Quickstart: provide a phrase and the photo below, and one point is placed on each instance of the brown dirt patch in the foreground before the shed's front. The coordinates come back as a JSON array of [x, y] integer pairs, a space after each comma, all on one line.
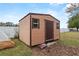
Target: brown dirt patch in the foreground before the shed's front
[[56, 50]]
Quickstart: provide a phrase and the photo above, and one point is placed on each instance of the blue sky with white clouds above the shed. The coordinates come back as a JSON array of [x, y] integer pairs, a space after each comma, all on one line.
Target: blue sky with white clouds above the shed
[[13, 12]]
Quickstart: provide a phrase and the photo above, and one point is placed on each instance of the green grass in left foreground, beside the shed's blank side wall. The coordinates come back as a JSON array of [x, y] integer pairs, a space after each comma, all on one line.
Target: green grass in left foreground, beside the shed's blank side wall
[[19, 50]]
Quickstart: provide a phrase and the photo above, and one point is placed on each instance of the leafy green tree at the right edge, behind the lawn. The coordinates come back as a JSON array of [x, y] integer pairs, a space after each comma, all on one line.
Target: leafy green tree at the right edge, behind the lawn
[[74, 22]]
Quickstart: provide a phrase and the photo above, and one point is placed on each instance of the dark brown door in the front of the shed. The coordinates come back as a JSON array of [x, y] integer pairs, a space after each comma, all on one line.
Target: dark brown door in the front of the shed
[[48, 30]]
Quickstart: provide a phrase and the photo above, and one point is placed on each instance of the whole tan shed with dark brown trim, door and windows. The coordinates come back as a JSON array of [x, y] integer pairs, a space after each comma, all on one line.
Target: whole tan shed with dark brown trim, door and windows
[[35, 28]]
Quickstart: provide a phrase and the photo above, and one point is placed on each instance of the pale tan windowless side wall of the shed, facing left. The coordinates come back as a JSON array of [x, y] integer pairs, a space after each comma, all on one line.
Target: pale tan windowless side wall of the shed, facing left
[[25, 30]]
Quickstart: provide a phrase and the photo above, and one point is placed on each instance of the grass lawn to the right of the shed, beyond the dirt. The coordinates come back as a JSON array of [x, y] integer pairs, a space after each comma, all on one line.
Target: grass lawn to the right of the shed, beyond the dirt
[[69, 38]]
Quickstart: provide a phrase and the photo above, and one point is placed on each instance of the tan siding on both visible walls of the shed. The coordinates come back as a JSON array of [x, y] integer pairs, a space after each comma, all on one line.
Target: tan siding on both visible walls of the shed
[[37, 35]]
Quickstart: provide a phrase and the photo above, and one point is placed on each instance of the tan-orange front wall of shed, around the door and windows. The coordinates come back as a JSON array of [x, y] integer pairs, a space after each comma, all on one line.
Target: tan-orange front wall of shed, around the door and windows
[[38, 35]]
